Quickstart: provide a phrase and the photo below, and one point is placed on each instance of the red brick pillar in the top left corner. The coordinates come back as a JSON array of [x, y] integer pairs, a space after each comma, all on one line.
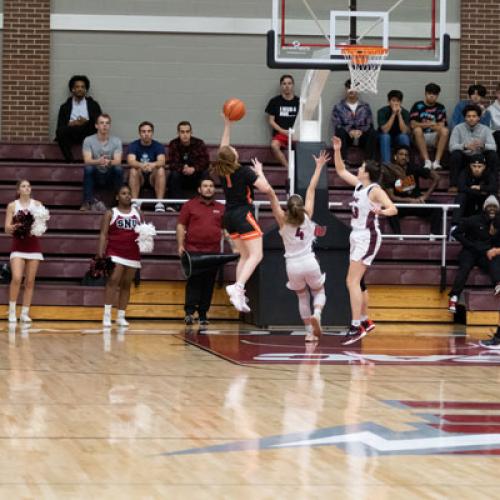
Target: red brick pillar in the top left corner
[[25, 70]]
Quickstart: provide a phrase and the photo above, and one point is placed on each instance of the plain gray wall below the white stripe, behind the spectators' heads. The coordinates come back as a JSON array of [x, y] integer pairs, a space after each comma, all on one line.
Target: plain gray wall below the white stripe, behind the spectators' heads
[[167, 78]]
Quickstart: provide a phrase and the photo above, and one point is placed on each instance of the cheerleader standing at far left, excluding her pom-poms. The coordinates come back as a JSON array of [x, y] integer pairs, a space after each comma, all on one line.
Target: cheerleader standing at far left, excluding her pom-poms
[[25, 255]]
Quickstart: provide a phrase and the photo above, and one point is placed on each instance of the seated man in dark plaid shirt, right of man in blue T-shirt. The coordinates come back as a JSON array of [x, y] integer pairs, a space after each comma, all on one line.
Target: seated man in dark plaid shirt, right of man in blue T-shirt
[[187, 160]]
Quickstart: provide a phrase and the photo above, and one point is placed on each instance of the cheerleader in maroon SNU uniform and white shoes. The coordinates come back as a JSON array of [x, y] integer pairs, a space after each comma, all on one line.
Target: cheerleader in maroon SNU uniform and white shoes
[[117, 240]]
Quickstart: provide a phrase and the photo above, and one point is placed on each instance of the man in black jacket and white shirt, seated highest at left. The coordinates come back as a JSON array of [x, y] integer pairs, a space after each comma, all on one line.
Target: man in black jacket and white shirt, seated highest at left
[[77, 116]]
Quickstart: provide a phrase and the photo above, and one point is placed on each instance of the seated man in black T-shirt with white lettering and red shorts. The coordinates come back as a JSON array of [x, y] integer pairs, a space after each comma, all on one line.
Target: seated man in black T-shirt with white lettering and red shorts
[[282, 110]]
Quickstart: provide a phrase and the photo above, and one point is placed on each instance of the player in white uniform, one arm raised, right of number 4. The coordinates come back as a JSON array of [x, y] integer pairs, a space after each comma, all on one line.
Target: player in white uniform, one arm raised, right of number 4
[[368, 202]]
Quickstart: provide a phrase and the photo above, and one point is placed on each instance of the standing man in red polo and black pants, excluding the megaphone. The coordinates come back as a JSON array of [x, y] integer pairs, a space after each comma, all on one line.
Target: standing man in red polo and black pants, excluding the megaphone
[[199, 230]]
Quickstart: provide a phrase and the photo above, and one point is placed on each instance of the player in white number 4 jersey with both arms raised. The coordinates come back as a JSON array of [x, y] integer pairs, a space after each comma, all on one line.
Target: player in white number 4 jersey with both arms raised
[[298, 232]]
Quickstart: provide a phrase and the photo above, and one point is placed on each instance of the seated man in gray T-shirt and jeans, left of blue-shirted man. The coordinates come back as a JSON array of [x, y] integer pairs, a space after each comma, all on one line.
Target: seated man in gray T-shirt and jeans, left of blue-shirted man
[[102, 155]]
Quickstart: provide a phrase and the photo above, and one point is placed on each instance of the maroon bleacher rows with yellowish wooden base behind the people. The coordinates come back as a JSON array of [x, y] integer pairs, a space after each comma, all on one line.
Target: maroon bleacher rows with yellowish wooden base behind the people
[[72, 240]]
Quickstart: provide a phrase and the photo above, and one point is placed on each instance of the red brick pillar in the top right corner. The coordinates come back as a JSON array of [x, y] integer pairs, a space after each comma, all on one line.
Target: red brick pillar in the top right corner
[[480, 44]]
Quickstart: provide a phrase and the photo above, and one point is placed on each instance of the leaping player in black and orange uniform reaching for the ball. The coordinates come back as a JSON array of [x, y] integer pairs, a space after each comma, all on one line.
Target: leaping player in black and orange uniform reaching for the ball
[[238, 182]]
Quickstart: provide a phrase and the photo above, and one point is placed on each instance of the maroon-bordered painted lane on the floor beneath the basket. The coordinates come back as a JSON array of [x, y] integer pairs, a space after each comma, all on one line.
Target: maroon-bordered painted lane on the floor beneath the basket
[[257, 347]]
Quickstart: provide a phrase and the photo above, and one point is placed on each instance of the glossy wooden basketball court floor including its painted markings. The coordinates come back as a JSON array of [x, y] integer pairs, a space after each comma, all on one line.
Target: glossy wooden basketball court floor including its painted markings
[[233, 412]]
